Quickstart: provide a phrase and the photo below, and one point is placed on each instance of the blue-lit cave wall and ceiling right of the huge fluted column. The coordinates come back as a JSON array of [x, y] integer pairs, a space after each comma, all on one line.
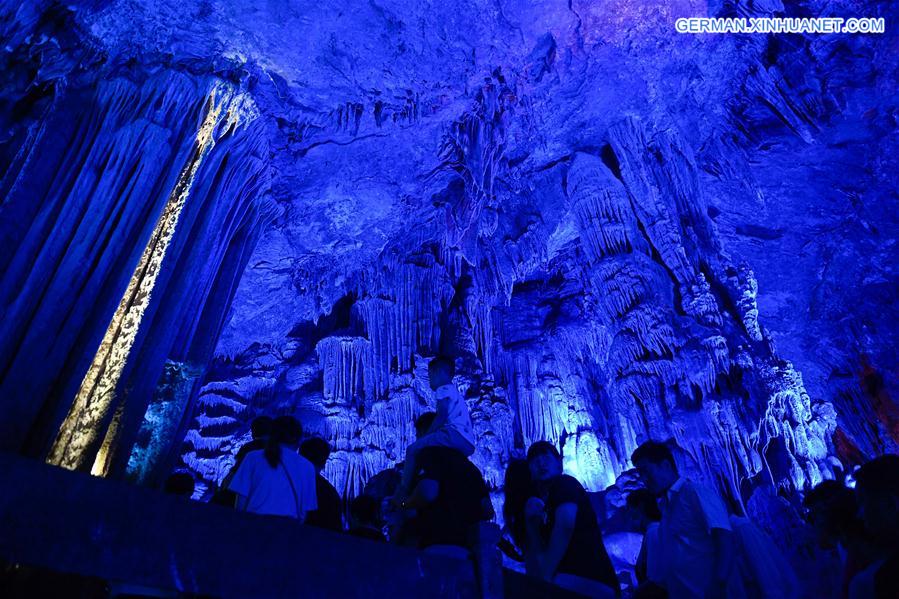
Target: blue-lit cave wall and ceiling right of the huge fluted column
[[604, 238]]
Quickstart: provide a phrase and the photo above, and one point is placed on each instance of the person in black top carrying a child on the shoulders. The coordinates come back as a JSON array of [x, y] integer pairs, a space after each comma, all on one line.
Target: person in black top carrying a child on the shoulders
[[449, 494]]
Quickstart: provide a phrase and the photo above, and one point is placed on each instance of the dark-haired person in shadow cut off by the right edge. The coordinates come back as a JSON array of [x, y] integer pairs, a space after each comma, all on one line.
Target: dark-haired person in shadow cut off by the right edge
[[877, 491]]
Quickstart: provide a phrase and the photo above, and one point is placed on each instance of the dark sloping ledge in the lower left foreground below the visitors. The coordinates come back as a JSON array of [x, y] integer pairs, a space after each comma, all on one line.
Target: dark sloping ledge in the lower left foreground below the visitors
[[75, 523]]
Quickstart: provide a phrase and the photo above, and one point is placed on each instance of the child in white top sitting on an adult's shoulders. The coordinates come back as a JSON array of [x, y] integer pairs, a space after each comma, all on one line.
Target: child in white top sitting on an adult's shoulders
[[451, 427]]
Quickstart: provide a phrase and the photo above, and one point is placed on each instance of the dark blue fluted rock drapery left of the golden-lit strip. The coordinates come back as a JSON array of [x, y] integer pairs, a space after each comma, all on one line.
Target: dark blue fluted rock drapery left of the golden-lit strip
[[84, 234]]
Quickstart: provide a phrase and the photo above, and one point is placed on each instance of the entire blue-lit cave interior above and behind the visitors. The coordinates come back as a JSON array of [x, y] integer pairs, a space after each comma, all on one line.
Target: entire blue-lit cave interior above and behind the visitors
[[213, 211]]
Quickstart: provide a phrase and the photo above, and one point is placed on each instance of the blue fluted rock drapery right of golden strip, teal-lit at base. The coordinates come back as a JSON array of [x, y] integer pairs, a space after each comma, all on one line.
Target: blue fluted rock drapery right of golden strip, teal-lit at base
[[219, 227]]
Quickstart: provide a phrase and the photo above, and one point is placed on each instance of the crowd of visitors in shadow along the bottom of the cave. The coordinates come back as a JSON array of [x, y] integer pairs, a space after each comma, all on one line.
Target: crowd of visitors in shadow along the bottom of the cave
[[692, 545]]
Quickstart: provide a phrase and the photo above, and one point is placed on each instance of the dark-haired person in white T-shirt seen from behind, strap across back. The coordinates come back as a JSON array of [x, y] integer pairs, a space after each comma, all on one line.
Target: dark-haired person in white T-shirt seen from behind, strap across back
[[277, 480]]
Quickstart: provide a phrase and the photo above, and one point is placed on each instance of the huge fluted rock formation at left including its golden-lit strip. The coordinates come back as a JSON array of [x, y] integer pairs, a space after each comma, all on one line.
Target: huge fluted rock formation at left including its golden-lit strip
[[132, 199]]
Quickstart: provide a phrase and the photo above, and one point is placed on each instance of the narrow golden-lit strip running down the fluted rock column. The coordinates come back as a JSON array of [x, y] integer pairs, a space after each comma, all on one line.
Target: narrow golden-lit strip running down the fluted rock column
[[84, 425]]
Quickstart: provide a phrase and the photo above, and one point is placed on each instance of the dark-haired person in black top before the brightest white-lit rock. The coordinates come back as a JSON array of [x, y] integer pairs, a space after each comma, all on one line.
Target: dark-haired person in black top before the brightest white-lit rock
[[564, 544]]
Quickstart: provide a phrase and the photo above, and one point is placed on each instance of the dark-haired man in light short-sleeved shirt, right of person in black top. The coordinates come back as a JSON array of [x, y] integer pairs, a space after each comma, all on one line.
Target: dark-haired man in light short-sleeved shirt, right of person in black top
[[695, 536]]
